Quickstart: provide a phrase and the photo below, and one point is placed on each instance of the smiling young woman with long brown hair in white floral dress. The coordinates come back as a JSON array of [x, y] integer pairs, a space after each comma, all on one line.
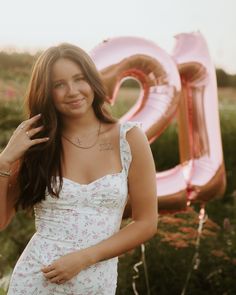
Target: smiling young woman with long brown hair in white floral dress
[[75, 166]]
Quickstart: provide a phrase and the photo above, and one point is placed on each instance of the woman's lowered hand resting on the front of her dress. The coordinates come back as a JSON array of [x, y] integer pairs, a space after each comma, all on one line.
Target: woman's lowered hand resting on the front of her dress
[[64, 268]]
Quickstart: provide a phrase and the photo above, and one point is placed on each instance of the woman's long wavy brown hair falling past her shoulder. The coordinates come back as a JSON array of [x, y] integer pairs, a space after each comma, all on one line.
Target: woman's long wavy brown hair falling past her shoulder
[[42, 162]]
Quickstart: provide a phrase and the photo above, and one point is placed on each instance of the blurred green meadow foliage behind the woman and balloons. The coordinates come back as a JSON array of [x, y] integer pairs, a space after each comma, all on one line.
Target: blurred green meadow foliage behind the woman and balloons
[[169, 255]]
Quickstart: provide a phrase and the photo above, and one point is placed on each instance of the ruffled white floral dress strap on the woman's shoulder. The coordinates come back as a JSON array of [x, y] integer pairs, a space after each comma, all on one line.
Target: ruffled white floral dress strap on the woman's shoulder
[[126, 156]]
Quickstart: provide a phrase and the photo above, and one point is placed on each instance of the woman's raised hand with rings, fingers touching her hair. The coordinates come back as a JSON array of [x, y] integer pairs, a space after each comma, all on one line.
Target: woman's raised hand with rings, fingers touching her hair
[[21, 141]]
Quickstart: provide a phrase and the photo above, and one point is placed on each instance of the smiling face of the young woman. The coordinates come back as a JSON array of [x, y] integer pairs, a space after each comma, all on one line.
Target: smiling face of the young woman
[[72, 95]]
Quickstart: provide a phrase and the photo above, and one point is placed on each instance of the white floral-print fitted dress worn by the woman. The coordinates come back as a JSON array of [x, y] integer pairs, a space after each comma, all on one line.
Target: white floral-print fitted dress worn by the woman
[[82, 216]]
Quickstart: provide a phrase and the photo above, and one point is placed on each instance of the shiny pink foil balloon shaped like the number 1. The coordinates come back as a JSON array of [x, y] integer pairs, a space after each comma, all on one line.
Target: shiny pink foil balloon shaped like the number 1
[[199, 126]]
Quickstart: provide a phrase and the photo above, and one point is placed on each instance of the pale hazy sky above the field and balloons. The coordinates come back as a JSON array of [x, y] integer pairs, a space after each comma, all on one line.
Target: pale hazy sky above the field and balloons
[[32, 24]]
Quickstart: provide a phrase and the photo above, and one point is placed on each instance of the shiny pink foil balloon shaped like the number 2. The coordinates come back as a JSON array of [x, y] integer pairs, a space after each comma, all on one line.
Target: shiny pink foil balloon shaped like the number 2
[[155, 70]]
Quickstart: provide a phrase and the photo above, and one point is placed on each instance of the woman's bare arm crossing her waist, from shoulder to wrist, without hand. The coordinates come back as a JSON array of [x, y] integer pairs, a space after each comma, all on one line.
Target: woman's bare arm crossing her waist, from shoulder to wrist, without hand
[[143, 197]]
